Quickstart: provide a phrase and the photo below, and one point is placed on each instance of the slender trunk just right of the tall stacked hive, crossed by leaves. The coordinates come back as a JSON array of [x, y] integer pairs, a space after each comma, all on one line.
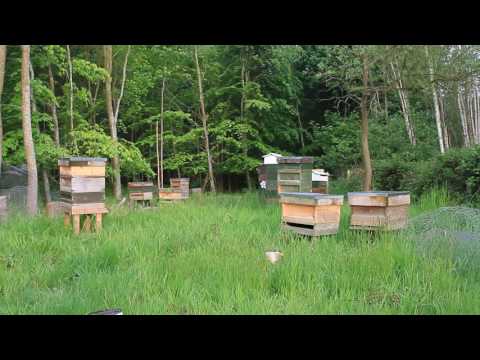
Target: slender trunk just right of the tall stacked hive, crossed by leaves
[[117, 185]]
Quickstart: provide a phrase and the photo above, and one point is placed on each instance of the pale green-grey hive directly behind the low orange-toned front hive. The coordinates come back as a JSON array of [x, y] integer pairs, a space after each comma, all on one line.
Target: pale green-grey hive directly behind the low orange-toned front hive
[[294, 174]]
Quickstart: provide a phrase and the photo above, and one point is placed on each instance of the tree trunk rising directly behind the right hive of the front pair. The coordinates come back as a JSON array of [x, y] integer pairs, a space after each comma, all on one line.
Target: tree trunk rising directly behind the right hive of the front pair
[[364, 107]]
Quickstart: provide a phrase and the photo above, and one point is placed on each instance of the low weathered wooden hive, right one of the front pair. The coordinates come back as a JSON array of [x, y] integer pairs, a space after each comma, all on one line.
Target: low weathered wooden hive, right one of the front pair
[[379, 210]]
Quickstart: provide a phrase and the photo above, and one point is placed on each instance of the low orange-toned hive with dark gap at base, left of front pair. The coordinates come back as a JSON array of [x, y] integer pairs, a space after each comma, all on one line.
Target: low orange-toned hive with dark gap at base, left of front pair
[[310, 213]]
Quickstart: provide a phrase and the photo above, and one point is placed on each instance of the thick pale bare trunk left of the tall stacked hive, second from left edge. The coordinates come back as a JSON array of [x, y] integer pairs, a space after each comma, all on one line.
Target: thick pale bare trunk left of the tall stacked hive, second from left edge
[[32, 190]]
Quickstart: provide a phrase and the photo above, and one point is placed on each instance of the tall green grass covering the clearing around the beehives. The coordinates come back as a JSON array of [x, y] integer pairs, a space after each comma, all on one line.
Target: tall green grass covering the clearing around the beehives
[[206, 256]]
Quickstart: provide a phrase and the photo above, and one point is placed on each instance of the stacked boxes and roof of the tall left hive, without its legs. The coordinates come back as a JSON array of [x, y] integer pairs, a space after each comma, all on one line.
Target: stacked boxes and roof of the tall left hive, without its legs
[[82, 184]]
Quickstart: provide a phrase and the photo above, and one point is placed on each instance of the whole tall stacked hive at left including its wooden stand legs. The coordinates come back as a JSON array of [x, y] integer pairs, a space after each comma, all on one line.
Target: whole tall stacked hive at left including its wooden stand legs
[[82, 192]]
